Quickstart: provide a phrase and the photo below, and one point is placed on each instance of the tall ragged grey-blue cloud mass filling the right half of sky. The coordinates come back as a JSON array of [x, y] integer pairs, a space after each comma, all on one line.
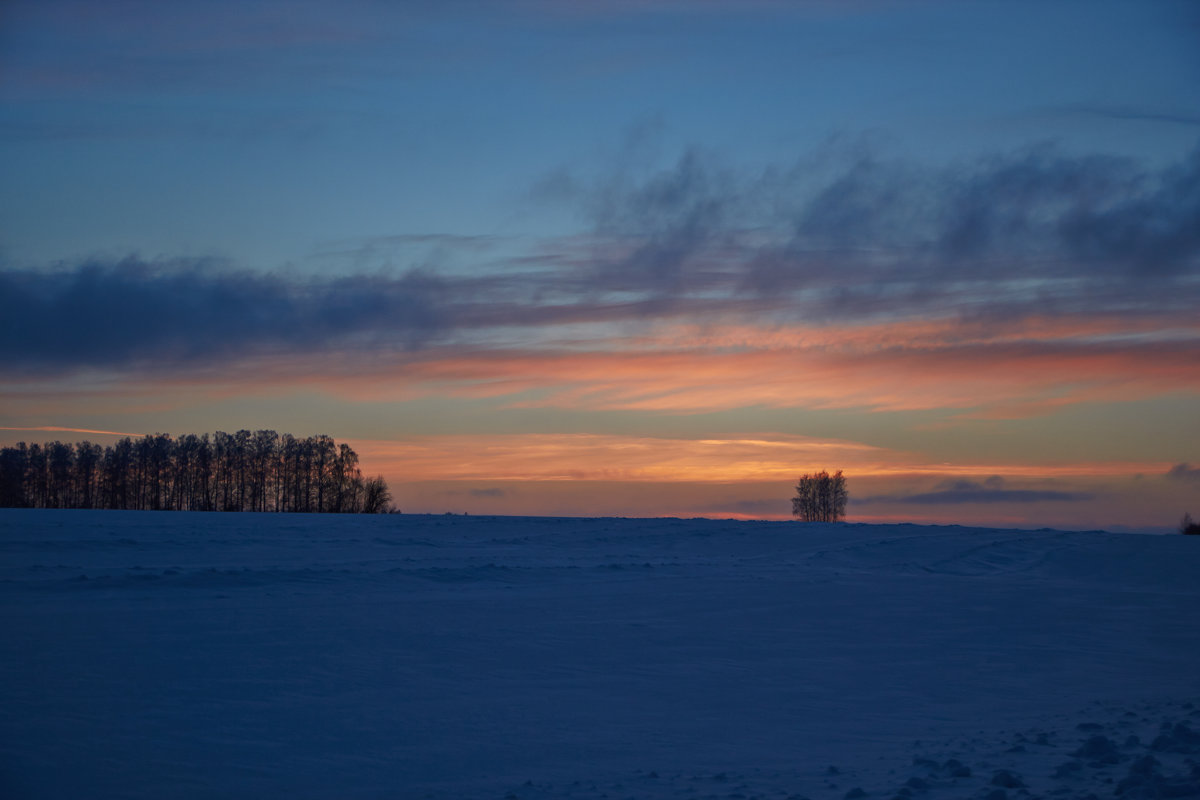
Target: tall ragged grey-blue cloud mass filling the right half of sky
[[1009, 236]]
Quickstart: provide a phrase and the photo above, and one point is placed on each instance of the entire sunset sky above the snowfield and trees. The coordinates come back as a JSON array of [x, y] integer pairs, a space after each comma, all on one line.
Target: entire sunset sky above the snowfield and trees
[[631, 258]]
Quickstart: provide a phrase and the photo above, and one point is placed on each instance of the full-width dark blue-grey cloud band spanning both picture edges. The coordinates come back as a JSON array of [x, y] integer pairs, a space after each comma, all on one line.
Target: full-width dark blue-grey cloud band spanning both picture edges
[[995, 243]]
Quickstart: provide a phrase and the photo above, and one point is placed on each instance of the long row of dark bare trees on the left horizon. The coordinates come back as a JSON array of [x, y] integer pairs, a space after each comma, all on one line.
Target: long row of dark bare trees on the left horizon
[[226, 472]]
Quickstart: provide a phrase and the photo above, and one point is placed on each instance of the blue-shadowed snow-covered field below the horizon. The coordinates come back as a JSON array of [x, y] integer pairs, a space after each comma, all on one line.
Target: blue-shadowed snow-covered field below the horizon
[[191, 655]]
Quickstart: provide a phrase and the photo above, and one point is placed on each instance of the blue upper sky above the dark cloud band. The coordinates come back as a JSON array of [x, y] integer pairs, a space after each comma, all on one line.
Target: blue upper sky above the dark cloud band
[[265, 131]]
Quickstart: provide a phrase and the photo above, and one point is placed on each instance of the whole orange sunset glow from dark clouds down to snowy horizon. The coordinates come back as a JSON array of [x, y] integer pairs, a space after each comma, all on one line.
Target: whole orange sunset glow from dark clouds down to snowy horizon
[[973, 376]]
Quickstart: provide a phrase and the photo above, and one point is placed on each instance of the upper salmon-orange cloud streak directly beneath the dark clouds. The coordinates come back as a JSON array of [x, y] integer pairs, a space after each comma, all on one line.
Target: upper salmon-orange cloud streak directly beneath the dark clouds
[[1004, 381]]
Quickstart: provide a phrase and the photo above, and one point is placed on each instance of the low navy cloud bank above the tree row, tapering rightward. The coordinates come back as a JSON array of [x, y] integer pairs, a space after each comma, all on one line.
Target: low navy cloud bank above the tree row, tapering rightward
[[187, 312]]
